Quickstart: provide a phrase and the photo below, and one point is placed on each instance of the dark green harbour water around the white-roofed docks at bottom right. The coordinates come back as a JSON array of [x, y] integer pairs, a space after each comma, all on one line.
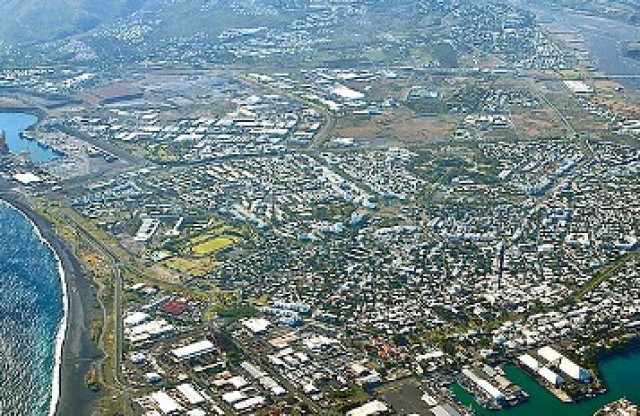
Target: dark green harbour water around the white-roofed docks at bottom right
[[620, 376]]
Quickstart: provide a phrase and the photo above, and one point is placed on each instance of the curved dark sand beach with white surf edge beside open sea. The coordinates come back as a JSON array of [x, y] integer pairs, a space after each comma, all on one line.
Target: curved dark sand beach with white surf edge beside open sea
[[74, 352]]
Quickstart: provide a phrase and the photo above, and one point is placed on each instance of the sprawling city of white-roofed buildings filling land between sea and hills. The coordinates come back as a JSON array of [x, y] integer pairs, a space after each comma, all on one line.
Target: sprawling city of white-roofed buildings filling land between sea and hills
[[346, 208]]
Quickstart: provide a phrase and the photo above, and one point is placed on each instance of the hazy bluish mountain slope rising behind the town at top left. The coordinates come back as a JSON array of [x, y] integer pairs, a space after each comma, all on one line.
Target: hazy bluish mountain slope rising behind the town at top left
[[28, 21]]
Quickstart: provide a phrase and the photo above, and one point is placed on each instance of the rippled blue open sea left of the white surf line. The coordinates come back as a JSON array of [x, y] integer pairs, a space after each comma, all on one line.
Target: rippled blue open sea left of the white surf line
[[31, 309]]
